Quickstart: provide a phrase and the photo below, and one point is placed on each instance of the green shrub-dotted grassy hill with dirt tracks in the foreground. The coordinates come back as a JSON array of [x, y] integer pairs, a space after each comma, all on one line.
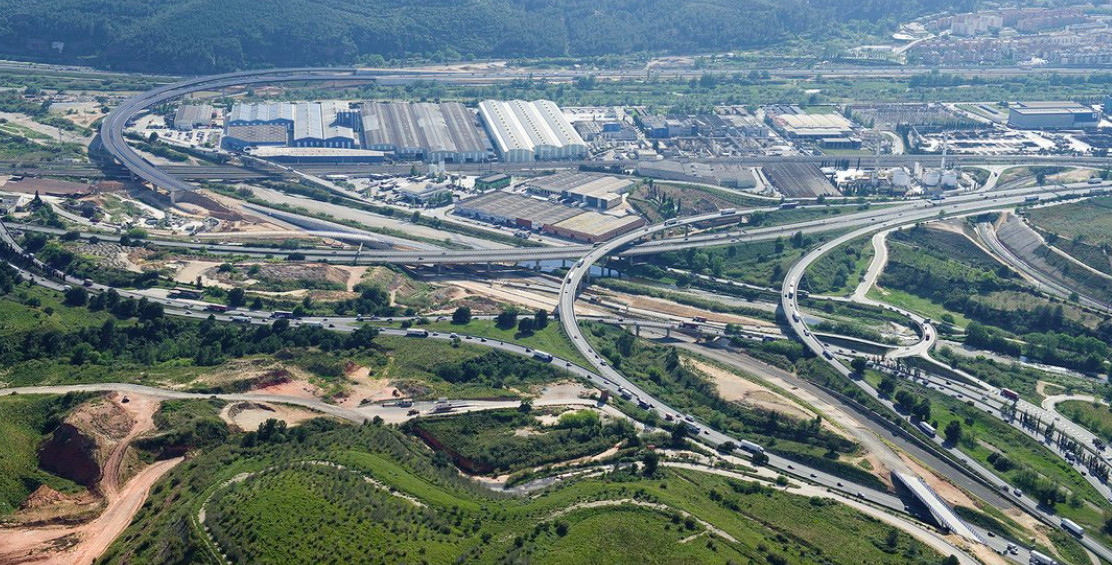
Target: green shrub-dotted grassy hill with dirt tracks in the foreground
[[371, 494]]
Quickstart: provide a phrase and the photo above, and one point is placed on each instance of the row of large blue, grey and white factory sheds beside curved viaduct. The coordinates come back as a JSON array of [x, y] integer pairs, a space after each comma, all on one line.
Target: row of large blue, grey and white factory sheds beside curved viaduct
[[514, 132]]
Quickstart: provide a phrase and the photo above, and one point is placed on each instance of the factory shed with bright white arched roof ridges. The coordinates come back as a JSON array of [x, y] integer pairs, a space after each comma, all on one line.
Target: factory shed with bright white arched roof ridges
[[525, 132]]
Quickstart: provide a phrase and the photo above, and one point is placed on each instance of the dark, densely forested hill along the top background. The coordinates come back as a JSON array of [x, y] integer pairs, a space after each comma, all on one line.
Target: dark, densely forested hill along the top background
[[205, 36]]
